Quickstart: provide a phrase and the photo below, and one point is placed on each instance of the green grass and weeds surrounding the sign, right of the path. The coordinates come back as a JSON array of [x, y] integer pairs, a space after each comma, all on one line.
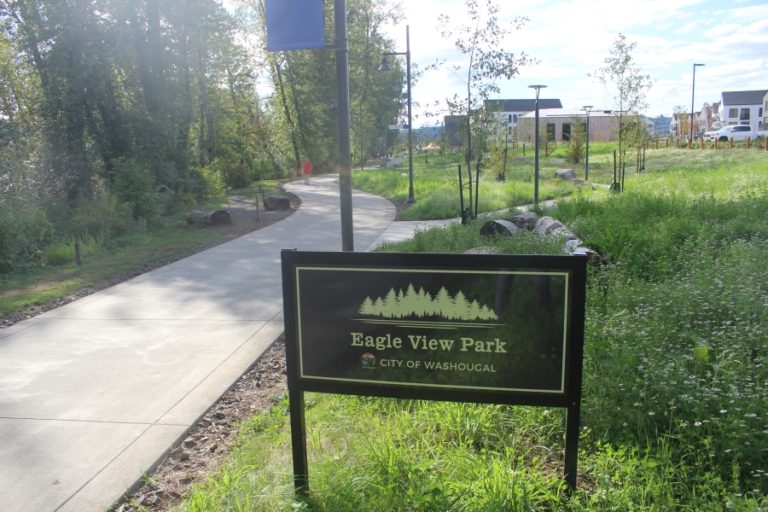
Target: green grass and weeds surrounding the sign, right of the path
[[675, 374]]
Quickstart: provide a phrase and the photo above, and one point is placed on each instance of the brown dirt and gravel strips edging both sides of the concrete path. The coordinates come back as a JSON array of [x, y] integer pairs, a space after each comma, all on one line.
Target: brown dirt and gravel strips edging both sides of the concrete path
[[208, 441]]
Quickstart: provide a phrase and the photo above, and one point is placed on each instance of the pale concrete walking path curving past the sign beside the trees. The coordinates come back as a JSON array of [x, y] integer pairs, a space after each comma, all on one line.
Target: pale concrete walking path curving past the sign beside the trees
[[92, 394]]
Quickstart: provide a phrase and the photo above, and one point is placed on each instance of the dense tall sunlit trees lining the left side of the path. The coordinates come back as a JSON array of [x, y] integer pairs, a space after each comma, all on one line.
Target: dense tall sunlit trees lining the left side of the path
[[118, 108]]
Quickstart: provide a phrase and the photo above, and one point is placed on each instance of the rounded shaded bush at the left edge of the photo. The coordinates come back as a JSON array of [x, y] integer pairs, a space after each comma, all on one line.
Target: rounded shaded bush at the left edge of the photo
[[24, 231]]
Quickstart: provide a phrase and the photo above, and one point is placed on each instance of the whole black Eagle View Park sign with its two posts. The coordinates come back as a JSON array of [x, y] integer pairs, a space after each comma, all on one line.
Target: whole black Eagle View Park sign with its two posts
[[475, 328]]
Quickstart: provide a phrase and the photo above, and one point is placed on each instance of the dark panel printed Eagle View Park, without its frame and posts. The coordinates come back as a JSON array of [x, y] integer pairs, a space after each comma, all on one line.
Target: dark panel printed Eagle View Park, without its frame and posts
[[499, 330]]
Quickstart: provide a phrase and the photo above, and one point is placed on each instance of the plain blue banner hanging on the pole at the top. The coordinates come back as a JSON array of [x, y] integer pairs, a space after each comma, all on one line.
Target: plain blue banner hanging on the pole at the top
[[294, 24]]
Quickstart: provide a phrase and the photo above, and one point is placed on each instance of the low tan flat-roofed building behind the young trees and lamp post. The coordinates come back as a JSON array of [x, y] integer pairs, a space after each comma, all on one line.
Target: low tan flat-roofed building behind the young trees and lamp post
[[559, 123]]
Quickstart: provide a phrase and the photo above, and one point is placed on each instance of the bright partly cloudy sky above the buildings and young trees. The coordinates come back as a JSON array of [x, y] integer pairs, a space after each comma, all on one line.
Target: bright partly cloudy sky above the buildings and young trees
[[571, 39]]
